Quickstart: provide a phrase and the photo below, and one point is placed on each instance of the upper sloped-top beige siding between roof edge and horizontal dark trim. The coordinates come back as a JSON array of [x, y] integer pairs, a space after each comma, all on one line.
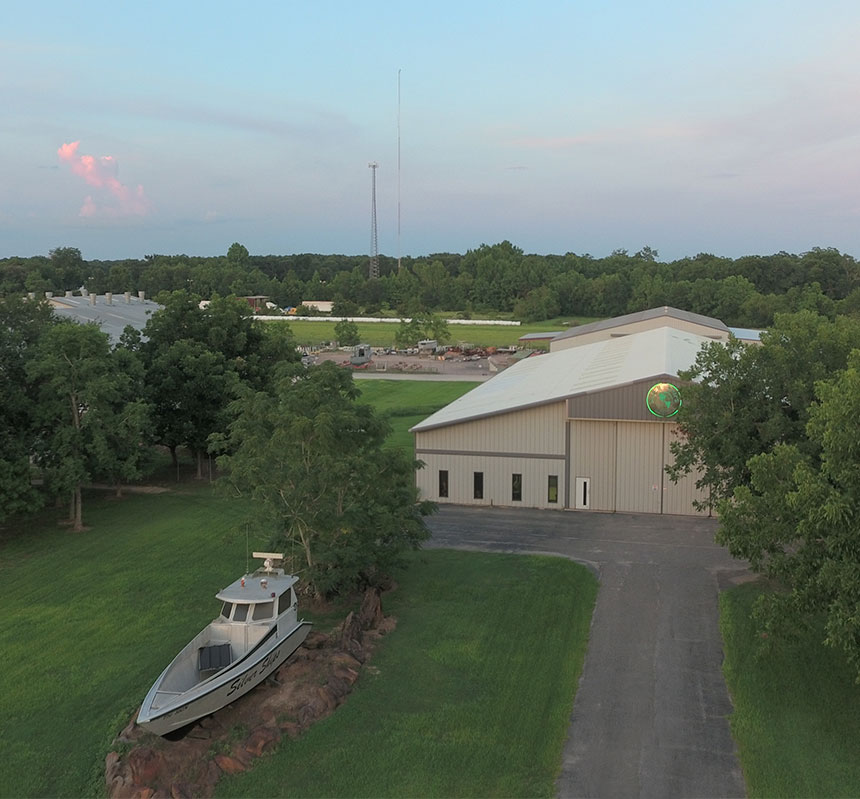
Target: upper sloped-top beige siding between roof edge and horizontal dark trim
[[538, 430]]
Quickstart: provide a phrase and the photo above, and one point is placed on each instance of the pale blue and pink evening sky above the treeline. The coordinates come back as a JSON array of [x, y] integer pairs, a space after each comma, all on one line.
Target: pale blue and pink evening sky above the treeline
[[579, 126]]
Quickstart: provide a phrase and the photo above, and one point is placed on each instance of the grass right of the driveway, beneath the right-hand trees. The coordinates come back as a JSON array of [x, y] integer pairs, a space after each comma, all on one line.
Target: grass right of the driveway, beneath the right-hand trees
[[797, 710]]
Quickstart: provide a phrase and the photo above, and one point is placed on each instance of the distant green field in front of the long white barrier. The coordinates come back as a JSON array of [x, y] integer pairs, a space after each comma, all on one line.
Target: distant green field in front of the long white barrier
[[381, 334]]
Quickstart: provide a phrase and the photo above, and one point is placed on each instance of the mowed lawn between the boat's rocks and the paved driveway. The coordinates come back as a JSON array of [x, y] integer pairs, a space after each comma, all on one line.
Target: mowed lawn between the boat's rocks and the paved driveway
[[470, 696]]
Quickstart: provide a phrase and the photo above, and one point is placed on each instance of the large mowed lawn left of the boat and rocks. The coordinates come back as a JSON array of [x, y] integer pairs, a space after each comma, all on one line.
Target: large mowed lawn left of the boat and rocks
[[90, 619]]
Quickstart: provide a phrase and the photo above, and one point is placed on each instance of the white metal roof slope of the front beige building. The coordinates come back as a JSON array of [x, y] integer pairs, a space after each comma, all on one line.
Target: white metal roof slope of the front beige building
[[577, 370]]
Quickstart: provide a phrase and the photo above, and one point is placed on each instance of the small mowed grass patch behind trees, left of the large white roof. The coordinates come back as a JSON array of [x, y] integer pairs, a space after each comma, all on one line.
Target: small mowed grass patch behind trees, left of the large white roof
[[407, 402]]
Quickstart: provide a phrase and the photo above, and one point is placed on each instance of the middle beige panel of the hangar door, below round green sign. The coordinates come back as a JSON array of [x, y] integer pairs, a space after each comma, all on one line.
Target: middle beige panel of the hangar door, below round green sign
[[639, 486]]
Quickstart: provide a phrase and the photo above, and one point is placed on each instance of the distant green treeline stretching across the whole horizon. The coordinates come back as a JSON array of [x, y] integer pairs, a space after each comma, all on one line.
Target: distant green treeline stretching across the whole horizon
[[745, 291]]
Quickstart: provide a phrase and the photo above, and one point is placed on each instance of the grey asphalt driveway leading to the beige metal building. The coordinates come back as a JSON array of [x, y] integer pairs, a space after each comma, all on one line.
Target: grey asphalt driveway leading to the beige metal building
[[650, 716]]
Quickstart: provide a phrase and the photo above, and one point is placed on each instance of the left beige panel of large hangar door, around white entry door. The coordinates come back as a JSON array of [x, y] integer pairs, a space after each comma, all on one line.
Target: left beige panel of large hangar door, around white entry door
[[592, 455]]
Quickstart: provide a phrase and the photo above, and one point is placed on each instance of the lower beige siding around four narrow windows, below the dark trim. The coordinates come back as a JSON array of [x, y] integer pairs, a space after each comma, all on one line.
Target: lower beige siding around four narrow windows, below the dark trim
[[497, 479]]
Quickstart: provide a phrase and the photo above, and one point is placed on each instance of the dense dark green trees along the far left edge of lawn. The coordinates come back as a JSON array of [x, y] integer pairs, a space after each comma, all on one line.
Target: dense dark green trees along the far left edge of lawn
[[78, 410]]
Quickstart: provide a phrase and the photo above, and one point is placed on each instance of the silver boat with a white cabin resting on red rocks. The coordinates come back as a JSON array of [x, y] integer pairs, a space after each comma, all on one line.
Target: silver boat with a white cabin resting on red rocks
[[257, 630]]
